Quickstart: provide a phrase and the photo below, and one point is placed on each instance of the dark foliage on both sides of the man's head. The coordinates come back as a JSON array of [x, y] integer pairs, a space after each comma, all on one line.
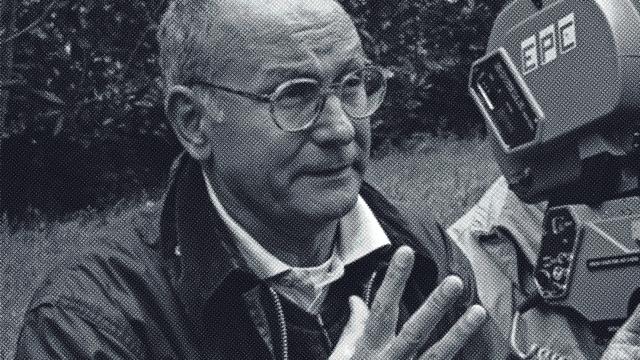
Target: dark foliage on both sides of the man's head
[[85, 125]]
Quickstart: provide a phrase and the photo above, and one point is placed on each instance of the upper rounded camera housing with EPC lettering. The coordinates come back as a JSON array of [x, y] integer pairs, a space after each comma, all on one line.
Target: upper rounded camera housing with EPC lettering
[[560, 90]]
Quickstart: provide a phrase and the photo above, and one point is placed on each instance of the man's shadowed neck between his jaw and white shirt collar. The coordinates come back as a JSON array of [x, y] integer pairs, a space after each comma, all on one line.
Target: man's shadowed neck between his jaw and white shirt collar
[[302, 244]]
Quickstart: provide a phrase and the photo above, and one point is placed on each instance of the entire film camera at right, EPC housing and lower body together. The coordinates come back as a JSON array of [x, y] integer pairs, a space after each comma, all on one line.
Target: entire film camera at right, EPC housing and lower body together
[[559, 88]]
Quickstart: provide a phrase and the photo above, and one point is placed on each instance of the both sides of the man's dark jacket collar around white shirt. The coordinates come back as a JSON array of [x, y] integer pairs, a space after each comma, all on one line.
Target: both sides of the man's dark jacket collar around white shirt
[[198, 248]]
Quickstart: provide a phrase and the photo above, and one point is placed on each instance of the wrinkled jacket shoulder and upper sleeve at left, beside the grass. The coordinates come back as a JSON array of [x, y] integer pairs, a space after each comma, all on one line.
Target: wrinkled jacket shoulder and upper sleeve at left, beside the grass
[[96, 292]]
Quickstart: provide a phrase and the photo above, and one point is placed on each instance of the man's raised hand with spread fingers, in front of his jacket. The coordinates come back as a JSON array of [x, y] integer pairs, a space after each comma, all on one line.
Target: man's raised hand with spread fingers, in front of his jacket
[[372, 334]]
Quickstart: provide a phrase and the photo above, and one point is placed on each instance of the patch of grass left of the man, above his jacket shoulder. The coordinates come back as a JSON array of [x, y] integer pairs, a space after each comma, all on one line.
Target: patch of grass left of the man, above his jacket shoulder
[[28, 254]]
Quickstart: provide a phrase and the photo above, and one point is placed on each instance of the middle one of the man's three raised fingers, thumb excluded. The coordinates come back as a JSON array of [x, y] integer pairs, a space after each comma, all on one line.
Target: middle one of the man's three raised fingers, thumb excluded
[[417, 329]]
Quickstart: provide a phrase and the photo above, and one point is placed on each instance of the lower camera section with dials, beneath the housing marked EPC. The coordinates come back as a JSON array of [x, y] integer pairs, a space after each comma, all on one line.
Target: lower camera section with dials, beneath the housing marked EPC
[[589, 261]]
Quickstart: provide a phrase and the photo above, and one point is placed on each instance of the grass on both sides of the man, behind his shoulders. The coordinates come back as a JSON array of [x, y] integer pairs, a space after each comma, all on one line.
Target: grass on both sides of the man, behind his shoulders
[[435, 176]]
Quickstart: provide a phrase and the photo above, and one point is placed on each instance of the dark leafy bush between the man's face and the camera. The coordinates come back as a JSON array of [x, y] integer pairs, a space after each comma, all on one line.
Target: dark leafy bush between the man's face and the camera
[[429, 45]]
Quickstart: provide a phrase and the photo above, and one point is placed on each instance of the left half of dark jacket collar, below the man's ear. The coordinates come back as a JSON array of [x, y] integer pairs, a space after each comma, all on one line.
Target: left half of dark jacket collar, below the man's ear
[[195, 240]]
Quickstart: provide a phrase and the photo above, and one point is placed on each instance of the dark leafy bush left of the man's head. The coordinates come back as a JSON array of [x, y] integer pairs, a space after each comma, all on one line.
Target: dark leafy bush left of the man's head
[[86, 125]]
